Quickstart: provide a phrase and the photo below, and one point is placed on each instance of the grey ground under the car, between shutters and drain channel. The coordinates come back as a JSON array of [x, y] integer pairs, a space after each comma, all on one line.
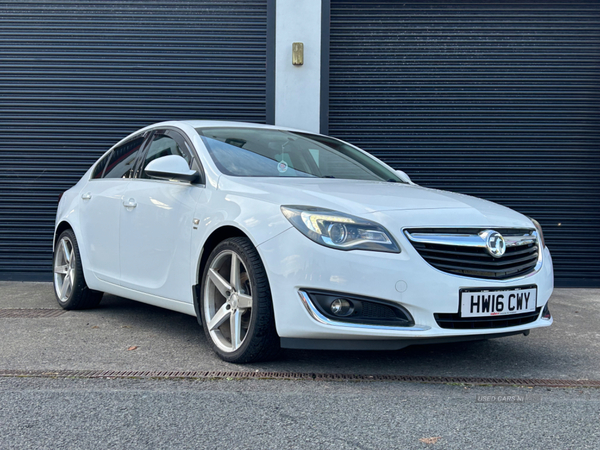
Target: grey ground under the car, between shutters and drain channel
[[102, 339]]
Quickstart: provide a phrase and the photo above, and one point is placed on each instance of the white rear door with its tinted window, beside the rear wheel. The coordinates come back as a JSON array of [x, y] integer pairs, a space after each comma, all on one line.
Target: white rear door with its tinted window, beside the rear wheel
[[100, 208]]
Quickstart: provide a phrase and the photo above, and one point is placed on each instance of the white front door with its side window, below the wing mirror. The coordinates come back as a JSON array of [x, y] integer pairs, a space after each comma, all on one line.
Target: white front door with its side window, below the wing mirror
[[156, 224]]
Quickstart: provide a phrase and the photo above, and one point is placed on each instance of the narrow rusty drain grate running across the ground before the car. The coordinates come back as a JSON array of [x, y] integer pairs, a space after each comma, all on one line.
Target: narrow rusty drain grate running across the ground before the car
[[242, 375]]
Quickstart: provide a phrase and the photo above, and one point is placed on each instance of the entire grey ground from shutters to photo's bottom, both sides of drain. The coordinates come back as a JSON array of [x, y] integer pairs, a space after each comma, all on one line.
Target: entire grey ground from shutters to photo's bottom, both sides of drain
[[51, 412]]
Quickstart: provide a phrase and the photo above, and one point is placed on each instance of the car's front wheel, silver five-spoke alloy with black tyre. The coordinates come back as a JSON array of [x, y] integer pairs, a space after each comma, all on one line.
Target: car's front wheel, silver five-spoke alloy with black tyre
[[236, 306]]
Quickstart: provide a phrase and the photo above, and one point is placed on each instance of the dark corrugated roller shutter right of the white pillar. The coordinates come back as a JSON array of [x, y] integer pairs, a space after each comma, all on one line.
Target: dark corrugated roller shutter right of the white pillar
[[497, 99]]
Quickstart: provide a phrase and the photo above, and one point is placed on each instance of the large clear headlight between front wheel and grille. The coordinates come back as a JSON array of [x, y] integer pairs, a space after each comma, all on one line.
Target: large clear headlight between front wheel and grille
[[338, 230]]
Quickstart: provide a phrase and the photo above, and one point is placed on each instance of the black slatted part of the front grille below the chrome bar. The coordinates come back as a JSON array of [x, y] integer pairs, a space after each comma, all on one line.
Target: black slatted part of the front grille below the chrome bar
[[475, 261]]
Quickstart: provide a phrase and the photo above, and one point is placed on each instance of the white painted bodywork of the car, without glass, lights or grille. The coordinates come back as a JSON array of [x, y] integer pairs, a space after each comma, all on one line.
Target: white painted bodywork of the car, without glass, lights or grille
[[160, 246]]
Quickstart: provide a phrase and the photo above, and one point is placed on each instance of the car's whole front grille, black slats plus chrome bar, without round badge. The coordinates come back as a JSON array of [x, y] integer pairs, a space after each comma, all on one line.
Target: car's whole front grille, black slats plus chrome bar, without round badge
[[463, 251]]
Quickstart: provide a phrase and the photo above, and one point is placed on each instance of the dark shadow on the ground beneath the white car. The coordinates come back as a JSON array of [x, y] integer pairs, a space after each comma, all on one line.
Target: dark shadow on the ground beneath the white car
[[514, 356]]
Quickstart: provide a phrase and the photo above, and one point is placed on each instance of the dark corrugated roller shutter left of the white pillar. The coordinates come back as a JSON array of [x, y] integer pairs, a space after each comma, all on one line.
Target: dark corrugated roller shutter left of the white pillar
[[76, 76]]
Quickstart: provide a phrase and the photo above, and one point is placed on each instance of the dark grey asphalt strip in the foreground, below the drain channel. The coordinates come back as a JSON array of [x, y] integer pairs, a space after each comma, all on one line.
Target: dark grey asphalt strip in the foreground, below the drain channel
[[251, 414]]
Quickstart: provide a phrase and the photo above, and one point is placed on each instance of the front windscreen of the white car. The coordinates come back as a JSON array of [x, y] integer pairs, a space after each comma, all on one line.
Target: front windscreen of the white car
[[255, 152]]
